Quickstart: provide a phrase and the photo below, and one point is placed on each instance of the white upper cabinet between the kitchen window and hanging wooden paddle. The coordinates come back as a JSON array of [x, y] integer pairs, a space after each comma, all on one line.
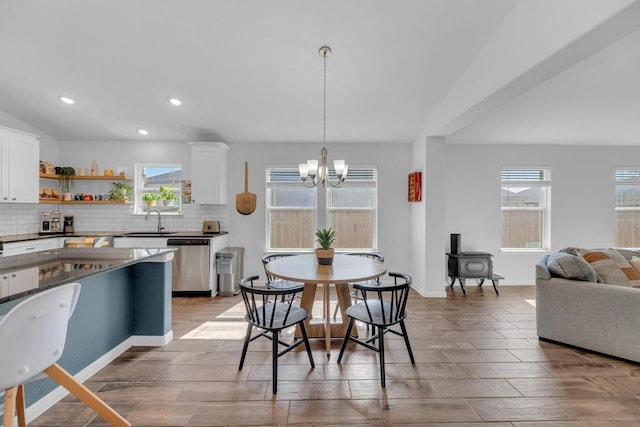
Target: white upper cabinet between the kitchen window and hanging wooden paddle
[[209, 173]]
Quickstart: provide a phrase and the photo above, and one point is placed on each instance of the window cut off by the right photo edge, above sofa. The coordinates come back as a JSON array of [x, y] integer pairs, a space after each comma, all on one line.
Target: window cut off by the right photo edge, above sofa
[[627, 208]]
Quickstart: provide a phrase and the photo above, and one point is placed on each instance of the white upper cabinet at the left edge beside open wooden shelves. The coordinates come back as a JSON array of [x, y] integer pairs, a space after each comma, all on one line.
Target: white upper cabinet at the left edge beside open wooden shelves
[[19, 168]]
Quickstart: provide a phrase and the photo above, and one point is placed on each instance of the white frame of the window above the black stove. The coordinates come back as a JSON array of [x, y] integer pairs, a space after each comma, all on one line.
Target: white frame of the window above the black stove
[[526, 175]]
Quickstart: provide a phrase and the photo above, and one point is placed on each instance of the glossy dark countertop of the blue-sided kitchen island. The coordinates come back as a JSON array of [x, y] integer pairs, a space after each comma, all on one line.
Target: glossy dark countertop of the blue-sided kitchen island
[[62, 266]]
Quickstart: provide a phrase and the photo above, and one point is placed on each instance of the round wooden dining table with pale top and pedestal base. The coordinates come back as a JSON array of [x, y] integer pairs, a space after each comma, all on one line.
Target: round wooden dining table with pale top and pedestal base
[[344, 270]]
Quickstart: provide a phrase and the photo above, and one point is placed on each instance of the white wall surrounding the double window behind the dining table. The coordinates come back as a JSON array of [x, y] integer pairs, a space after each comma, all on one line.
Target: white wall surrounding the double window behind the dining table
[[394, 210]]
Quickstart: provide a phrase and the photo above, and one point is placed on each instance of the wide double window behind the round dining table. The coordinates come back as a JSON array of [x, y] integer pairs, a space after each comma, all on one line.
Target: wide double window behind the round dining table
[[294, 212]]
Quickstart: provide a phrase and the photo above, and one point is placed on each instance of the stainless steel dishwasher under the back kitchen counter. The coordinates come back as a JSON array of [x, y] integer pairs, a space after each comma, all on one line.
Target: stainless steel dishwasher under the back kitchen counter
[[191, 267]]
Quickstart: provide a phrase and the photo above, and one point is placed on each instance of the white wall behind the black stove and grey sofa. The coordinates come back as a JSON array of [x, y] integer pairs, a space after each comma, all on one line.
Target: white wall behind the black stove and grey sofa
[[582, 198]]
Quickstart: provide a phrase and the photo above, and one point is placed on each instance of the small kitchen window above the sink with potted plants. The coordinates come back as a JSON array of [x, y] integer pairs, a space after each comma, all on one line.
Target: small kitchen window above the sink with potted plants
[[158, 186]]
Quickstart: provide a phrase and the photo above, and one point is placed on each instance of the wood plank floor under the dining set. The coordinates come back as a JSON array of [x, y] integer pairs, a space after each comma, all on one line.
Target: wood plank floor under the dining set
[[478, 362]]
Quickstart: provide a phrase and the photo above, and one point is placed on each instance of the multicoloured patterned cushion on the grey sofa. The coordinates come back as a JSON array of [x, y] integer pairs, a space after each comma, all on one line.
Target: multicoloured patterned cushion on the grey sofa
[[611, 266]]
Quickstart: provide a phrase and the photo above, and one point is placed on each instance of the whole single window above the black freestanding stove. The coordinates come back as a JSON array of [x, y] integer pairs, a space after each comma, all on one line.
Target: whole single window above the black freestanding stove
[[525, 208]]
